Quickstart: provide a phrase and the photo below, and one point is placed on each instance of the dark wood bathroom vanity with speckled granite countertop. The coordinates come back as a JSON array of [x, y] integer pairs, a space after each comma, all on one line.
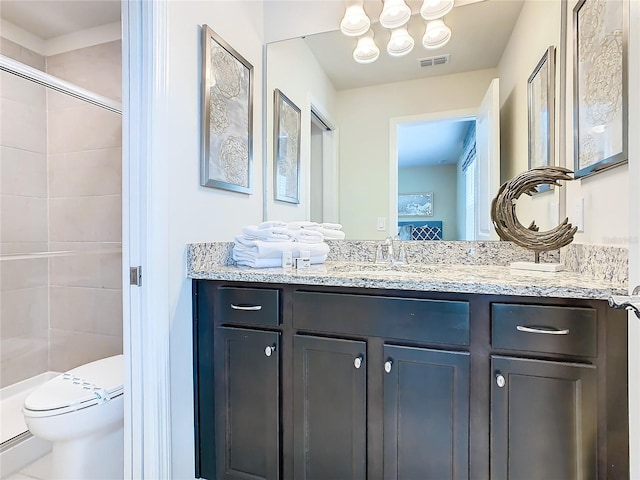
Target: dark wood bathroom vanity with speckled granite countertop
[[431, 371]]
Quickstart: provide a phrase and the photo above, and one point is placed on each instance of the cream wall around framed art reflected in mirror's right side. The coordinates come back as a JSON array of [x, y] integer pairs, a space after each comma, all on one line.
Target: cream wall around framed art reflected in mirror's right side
[[537, 28]]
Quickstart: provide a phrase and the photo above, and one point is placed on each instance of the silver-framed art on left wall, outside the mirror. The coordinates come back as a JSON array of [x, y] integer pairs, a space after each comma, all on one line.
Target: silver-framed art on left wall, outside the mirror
[[227, 116]]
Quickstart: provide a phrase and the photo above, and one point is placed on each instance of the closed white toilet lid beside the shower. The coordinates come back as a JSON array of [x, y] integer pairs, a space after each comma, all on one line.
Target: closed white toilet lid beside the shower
[[83, 386]]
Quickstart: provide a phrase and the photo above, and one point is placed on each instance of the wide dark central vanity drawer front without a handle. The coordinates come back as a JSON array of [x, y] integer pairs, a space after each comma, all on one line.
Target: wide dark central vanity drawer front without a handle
[[432, 321]]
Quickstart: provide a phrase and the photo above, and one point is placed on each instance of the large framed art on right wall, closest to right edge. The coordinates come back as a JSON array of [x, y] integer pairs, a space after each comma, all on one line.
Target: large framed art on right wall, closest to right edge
[[599, 85]]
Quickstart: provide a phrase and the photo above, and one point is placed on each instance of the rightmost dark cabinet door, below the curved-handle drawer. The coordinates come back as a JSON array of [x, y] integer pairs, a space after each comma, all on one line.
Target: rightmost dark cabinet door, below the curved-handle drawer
[[543, 420]]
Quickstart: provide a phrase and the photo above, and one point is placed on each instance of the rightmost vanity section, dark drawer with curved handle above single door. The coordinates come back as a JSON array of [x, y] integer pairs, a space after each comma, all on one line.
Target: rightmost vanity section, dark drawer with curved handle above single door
[[544, 414]]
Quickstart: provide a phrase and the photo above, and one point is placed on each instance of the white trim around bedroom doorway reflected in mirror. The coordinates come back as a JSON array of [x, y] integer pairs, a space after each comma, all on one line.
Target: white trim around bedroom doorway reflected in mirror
[[394, 123]]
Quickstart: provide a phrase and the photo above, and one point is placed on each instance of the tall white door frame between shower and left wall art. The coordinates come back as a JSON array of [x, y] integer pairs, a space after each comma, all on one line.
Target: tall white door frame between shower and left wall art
[[147, 415]]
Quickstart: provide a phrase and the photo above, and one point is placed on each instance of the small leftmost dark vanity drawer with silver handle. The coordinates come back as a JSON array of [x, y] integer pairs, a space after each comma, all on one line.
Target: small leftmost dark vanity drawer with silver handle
[[251, 306]]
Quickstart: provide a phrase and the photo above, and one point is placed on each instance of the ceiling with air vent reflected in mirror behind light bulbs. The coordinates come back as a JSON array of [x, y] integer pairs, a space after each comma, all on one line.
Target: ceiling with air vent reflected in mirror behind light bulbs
[[480, 32]]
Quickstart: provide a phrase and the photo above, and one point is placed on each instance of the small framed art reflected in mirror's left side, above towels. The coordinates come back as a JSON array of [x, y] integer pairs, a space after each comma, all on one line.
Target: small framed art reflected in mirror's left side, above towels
[[286, 145]]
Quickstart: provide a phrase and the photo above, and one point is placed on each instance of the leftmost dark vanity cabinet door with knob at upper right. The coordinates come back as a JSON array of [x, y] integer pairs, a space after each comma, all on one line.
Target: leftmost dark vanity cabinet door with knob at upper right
[[246, 404]]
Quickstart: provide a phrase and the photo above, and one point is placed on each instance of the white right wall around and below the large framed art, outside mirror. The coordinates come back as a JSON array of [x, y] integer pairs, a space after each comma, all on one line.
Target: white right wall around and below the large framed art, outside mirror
[[605, 194]]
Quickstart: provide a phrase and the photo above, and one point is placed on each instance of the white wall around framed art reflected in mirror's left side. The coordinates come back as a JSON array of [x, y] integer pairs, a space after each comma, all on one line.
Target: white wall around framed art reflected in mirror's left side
[[292, 68]]
